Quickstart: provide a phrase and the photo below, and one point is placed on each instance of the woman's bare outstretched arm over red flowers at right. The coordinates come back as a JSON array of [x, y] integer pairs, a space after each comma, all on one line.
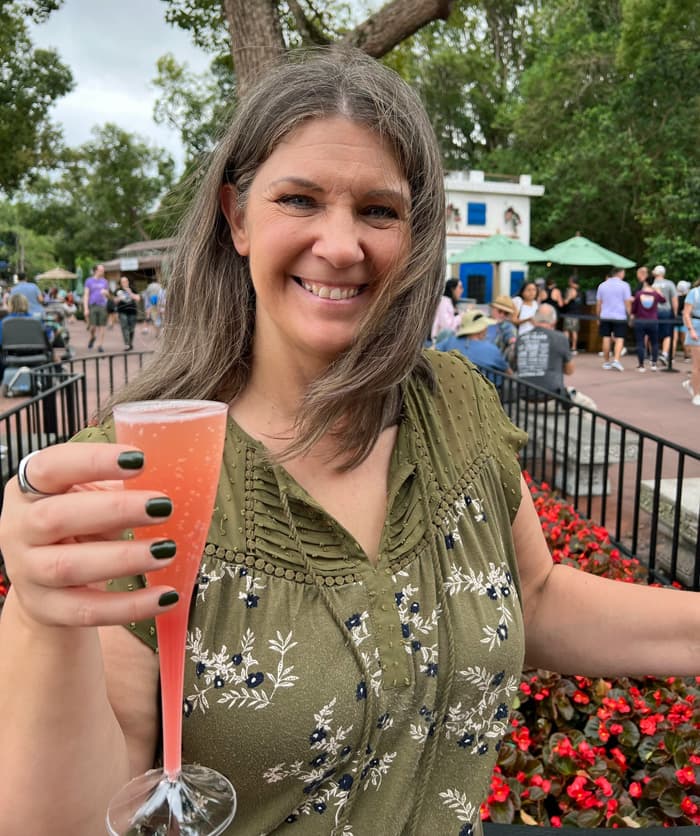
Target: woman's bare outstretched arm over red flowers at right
[[578, 623]]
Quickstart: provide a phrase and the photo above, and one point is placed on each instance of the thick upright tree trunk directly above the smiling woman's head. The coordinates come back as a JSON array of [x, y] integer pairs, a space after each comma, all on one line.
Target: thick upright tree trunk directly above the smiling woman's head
[[256, 38]]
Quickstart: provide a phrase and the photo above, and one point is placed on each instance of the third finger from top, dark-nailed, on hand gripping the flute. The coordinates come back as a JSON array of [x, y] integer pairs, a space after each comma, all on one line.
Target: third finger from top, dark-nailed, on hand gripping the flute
[[77, 564]]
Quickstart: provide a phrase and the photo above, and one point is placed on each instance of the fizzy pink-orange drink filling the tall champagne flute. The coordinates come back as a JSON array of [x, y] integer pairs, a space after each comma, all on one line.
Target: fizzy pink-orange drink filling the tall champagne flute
[[183, 443]]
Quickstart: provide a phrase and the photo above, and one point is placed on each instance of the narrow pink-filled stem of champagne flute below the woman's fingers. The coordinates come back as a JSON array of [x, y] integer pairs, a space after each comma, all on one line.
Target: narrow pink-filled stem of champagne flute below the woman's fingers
[[171, 629]]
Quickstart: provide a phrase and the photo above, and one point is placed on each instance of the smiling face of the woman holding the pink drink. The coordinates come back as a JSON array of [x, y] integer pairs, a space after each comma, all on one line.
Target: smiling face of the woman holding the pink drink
[[325, 221]]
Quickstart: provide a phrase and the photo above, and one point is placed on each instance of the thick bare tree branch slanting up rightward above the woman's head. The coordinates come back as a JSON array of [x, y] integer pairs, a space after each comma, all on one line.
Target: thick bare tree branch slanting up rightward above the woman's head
[[395, 22]]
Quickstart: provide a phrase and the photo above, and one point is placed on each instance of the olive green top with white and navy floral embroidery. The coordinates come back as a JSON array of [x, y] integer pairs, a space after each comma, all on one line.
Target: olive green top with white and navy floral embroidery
[[338, 694]]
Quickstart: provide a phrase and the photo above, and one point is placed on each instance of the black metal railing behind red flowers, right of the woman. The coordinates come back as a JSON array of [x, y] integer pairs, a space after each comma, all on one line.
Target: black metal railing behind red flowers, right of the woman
[[637, 485]]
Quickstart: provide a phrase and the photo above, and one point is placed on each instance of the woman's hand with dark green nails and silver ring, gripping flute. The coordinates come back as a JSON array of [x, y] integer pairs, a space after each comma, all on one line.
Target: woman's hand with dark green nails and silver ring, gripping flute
[[60, 549]]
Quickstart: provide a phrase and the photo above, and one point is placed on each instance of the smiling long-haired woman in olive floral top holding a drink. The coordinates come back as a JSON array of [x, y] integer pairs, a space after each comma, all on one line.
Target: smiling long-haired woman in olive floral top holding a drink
[[373, 545]]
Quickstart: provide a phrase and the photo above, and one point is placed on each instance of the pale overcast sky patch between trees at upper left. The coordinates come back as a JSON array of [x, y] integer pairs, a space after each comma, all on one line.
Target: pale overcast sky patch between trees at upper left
[[111, 47]]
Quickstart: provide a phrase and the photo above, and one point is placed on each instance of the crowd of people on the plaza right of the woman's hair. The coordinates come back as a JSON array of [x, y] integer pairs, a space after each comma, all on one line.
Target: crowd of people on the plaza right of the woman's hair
[[664, 316]]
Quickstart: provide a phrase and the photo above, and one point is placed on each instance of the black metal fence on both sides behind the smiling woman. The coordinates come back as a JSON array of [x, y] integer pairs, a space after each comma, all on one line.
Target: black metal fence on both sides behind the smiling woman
[[644, 489]]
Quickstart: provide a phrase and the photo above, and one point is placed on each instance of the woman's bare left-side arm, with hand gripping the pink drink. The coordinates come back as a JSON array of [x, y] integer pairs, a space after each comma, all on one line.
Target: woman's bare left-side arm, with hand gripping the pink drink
[[79, 695]]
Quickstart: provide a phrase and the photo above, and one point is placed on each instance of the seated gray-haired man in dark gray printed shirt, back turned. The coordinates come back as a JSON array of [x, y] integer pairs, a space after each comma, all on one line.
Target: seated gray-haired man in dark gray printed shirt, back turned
[[543, 354]]
